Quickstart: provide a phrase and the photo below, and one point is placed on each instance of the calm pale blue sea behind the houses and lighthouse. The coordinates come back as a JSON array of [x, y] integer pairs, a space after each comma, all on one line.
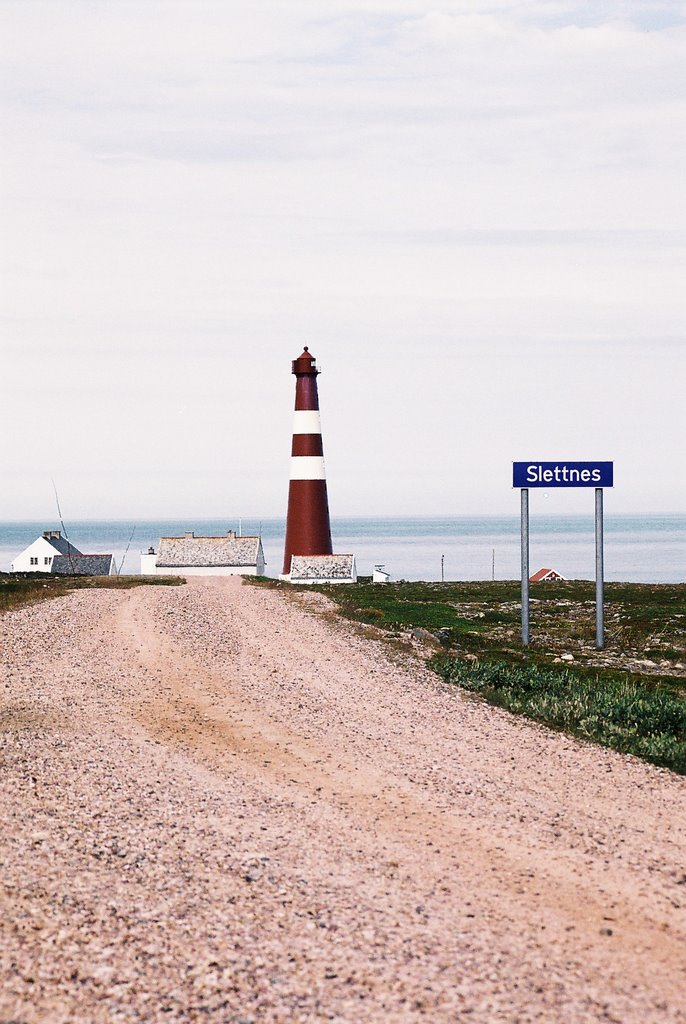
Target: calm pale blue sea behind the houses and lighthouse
[[637, 549]]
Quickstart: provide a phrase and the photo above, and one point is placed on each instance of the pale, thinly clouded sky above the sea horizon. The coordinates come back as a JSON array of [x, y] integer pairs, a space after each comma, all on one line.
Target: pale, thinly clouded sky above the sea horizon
[[473, 214]]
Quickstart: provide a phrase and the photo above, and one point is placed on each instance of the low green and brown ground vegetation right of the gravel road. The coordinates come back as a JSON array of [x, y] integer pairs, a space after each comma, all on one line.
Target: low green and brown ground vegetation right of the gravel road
[[630, 697]]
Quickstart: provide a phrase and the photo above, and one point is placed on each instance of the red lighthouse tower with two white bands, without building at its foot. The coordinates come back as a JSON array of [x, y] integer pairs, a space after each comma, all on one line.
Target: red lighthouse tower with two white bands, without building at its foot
[[308, 526]]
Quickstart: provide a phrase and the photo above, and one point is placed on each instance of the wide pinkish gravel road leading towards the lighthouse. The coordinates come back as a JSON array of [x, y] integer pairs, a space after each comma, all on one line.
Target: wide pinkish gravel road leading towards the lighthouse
[[219, 804]]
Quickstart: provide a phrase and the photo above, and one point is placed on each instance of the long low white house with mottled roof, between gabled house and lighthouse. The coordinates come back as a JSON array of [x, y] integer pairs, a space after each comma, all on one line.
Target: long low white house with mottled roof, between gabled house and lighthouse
[[191, 556]]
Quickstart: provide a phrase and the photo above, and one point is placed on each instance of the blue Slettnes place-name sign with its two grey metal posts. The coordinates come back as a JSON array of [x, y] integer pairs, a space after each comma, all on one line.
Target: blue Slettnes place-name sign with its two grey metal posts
[[564, 475]]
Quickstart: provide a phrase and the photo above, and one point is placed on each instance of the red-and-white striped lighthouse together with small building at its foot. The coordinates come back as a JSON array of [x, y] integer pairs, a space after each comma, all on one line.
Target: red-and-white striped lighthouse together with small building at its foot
[[309, 553]]
